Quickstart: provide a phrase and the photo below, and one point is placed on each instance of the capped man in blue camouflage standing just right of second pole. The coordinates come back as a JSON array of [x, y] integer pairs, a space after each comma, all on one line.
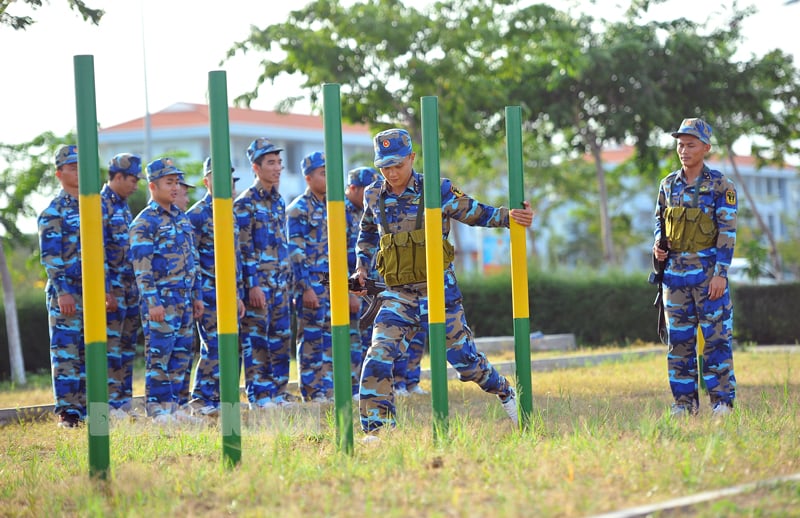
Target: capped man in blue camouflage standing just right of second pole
[[266, 327]]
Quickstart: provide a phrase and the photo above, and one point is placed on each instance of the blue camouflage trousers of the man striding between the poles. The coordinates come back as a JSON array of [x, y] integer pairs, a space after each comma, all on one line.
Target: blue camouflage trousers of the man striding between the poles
[[403, 314]]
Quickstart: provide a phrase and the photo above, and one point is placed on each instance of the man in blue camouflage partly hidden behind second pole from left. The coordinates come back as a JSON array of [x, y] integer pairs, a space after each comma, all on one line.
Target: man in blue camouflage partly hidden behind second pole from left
[[205, 393]]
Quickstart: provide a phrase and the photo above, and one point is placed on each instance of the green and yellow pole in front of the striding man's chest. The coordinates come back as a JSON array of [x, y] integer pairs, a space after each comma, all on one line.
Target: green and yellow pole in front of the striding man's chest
[[434, 259]]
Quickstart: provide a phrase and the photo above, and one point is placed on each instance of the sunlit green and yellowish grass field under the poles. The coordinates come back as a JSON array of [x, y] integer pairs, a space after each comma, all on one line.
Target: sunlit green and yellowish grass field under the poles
[[601, 441]]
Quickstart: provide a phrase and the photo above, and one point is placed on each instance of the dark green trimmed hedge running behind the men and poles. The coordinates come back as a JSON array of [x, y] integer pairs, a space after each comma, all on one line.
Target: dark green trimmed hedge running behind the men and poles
[[598, 310]]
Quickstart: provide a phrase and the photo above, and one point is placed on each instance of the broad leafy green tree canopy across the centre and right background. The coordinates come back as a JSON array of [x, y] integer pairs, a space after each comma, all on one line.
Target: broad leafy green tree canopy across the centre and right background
[[584, 84]]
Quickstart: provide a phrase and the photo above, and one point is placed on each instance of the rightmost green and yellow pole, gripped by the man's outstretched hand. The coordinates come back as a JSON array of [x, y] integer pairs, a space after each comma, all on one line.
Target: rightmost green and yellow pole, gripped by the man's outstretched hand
[[519, 266]]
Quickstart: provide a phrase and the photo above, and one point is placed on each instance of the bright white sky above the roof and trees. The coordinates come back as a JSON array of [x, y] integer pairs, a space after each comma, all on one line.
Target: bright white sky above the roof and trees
[[184, 40]]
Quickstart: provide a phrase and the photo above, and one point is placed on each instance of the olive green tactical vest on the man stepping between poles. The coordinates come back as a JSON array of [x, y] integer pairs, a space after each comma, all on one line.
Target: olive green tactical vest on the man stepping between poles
[[401, 257]]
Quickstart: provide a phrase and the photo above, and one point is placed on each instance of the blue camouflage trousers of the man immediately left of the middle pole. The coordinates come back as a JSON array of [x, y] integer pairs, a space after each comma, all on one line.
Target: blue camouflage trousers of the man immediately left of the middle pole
[[315, 345]]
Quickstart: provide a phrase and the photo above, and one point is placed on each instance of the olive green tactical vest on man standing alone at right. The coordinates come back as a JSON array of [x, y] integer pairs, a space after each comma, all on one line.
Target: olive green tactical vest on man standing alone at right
[[689, 229]]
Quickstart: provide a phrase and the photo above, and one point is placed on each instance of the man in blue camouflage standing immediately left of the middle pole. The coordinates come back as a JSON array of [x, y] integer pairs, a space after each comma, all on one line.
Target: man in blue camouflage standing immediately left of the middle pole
[[307, 230]]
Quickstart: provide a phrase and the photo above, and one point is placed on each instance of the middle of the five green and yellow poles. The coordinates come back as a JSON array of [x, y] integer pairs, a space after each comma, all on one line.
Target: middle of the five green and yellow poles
[[337, 256]]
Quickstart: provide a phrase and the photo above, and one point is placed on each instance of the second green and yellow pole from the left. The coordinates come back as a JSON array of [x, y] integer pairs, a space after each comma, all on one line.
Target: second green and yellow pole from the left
[[225, 268]]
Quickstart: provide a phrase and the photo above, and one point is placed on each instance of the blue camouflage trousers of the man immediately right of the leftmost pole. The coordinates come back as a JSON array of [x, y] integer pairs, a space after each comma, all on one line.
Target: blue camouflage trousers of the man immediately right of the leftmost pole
[[123, 332]]
